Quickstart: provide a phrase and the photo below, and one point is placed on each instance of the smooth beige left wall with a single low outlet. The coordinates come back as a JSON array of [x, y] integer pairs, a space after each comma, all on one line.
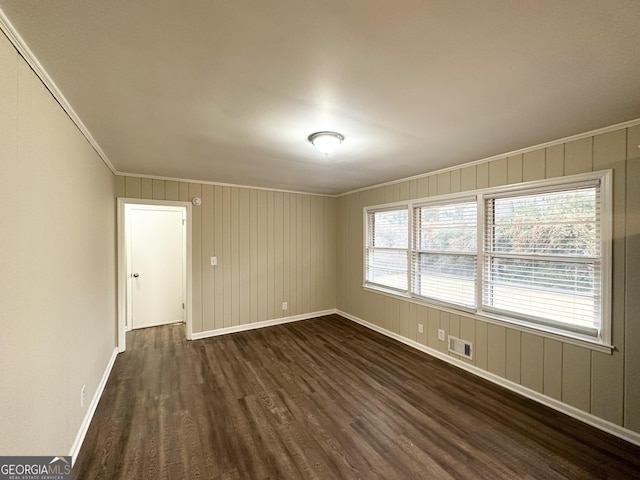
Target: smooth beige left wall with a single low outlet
[[57, 265]]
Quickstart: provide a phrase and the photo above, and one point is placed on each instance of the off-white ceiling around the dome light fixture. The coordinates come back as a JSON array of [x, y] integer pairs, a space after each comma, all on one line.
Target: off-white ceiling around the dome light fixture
[[228, 91]]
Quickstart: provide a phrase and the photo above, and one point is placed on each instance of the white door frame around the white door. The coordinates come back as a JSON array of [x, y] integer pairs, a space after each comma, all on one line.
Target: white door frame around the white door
[[122, 274]]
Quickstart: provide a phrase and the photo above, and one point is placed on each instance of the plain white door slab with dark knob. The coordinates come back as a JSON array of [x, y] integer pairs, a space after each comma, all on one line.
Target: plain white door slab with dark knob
[[156, 259]]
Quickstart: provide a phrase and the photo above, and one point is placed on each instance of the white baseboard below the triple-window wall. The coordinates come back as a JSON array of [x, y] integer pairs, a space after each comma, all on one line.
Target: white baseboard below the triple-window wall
[[605, 425]]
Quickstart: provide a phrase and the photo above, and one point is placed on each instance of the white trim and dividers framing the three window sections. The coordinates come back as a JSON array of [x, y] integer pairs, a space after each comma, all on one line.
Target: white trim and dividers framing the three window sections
[[601, 342]]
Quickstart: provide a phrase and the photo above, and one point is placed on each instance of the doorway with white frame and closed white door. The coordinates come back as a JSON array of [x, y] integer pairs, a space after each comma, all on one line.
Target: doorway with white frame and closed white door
[[154, 258]]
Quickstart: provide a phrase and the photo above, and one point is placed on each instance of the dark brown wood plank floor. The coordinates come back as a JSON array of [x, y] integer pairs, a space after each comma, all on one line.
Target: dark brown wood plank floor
[[329, 399]]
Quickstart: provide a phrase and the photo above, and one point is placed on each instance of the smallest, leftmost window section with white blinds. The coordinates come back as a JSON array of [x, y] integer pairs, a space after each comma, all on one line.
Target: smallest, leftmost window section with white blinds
[[387, 248]]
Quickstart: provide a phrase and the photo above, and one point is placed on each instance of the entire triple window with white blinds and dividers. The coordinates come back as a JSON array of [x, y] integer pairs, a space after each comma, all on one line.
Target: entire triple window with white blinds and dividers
[[535, 254]]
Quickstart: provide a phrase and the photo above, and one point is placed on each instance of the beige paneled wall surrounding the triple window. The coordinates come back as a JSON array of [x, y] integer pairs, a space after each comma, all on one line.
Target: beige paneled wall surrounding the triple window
[[607, 386]]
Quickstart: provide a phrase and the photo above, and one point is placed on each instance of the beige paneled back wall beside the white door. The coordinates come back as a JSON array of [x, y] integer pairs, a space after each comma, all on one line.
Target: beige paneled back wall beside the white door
[[272, 247]]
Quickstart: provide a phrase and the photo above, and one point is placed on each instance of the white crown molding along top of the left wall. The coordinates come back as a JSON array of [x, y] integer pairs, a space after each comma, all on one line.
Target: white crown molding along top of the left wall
[[25, 52]]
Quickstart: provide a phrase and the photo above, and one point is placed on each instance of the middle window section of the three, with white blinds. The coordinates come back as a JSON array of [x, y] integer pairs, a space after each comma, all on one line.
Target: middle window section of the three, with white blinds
[[445, 252]]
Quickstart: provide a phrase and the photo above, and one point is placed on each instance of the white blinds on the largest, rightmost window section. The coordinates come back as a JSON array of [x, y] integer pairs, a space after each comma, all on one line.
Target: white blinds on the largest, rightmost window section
[[543, 257]]
